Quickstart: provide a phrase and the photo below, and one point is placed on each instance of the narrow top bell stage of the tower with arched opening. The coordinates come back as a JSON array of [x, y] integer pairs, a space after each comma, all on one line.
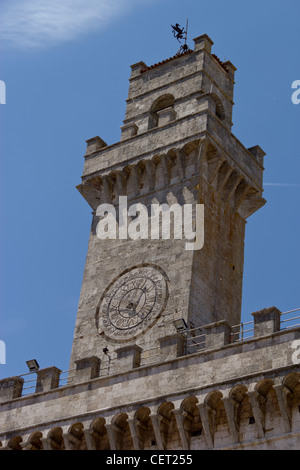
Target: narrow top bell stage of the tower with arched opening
[[177, 84]]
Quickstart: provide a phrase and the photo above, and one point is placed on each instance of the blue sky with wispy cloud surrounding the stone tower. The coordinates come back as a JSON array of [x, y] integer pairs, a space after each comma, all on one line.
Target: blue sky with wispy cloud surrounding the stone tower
[[66, 66]]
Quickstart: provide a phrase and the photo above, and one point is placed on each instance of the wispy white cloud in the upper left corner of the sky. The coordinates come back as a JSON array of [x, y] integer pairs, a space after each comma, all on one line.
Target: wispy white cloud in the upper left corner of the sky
[[42, 23]]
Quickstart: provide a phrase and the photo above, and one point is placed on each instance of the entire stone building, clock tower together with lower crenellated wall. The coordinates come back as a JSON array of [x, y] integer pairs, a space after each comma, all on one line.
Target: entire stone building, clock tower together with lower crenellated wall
[[158, 362]]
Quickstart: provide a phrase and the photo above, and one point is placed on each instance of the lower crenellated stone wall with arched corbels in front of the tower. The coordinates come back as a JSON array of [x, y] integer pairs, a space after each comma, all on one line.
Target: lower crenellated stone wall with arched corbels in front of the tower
[[251, 387]]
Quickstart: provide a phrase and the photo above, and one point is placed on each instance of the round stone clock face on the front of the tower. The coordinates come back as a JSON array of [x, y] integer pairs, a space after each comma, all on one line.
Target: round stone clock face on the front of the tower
[[132, 303]]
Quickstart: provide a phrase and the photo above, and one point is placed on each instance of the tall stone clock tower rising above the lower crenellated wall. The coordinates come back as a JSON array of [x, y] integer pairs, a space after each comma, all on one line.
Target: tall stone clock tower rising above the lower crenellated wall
[[176, 148]]
